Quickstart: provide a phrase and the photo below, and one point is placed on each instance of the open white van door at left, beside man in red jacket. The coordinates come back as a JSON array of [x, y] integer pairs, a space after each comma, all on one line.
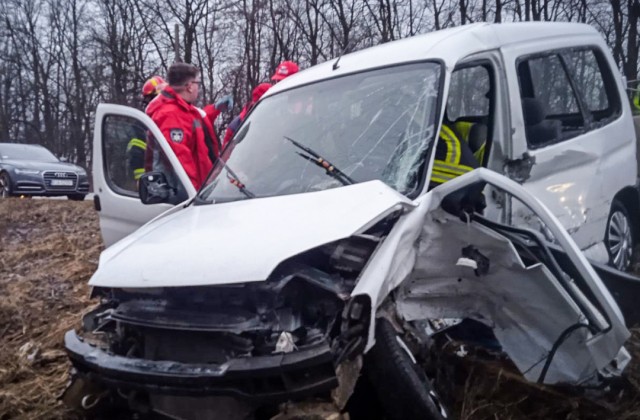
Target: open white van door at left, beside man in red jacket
[[127, 144]]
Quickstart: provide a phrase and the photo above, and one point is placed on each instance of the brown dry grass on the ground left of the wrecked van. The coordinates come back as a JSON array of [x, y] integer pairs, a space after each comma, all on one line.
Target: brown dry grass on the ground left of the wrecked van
[[48, 251]]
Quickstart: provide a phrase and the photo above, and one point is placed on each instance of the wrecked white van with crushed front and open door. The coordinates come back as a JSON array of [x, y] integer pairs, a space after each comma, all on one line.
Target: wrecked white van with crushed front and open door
[[317, 238]]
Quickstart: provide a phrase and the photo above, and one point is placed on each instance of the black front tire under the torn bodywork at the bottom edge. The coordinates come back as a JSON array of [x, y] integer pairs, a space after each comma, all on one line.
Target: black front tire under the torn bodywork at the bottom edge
[[403, 389]]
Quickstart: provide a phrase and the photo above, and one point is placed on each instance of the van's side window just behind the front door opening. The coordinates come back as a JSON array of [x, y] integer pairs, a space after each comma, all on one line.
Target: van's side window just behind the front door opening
[[550, 105]]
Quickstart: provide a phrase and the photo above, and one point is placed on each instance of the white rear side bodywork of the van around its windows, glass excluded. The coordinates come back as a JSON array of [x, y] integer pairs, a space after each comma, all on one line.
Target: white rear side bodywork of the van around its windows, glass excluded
[[577, 178]]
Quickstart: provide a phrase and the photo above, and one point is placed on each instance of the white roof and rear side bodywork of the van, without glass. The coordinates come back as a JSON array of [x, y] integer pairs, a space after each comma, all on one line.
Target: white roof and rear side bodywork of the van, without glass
[[577, 179]]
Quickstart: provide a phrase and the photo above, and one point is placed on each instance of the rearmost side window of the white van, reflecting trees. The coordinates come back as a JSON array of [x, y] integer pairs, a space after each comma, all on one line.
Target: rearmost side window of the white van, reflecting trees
[[595, 83]]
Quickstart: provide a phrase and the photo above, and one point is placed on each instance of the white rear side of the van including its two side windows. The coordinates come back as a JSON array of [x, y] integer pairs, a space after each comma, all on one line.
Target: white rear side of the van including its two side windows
[[572, 126]]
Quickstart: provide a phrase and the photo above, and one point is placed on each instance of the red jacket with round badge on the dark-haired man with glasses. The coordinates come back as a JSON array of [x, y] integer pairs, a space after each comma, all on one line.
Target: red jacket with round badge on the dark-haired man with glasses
[[191, 136]]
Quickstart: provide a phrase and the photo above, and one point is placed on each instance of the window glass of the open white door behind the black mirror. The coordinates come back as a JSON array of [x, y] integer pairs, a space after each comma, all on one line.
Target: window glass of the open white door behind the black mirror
[[130, 150]]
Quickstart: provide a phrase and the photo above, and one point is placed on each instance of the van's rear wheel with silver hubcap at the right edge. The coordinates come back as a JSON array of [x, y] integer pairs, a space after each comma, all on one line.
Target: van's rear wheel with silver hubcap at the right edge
[[619, 238]]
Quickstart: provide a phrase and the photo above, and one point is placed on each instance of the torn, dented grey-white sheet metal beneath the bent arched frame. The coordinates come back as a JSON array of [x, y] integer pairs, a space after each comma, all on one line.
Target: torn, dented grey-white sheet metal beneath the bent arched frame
[[525, 306]]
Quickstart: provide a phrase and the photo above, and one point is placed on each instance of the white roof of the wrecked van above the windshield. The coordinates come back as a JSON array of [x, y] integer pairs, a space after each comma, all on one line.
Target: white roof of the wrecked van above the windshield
[[449, 45]]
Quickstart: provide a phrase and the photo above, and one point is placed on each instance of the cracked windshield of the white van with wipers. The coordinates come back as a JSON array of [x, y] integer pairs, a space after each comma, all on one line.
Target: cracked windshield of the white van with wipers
[[372, 125]]
